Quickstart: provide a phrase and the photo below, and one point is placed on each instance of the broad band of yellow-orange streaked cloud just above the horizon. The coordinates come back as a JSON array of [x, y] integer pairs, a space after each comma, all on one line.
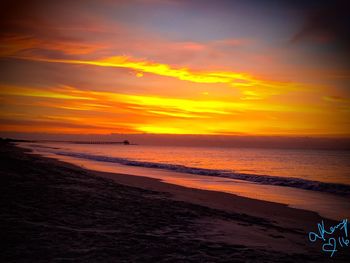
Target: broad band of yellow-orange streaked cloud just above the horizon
[[141, 113]]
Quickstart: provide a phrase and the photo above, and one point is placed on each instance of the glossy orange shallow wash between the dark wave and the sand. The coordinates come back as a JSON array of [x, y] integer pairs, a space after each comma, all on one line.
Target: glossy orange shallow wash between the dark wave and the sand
[[330, 206]]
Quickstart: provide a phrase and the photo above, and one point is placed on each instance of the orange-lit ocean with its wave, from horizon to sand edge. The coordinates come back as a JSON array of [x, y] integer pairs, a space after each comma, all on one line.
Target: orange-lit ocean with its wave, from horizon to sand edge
[[316, 180]]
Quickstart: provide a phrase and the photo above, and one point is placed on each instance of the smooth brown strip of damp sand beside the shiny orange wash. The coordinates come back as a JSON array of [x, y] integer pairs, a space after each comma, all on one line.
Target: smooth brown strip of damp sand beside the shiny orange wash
[[211, 198]]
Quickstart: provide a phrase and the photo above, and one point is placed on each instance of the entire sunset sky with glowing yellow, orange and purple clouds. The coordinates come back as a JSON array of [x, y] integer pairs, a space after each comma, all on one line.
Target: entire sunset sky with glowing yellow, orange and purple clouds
[[175, 67]]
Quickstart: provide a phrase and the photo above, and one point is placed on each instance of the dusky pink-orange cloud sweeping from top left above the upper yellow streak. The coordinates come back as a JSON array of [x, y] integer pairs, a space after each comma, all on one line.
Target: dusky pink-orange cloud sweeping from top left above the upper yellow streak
[[55, 30]]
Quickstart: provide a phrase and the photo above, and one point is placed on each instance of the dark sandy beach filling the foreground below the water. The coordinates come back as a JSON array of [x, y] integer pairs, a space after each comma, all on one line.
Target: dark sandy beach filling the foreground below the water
[[56, 212]]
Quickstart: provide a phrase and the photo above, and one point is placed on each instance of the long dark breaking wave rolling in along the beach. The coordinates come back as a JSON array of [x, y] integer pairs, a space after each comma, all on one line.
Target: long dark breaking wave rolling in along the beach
[[340, 189]]
